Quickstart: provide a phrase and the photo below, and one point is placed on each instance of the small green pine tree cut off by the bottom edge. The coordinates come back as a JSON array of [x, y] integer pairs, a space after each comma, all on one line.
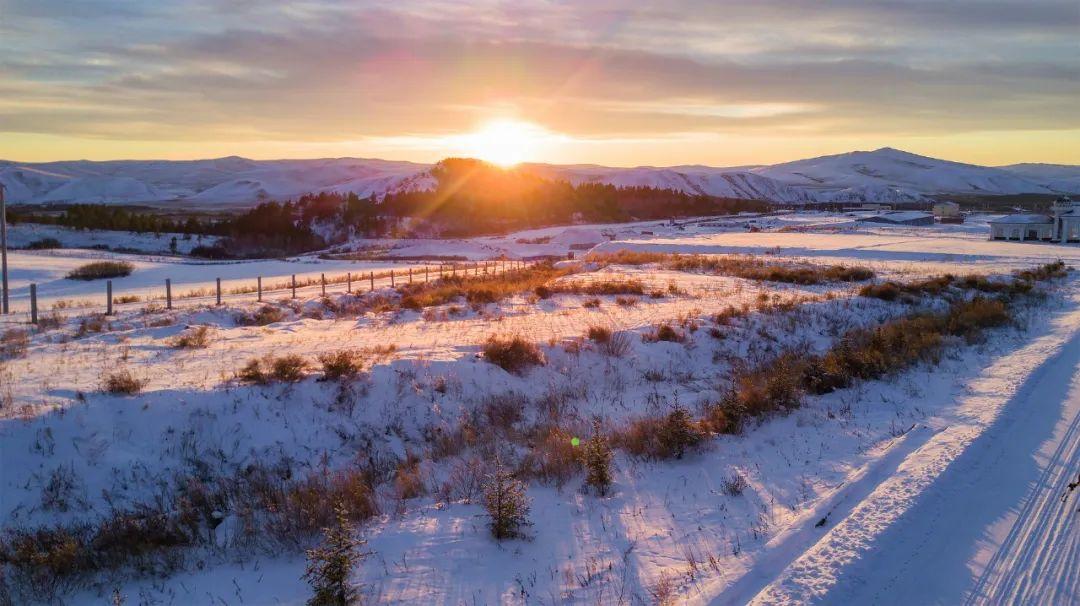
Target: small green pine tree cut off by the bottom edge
[[331, 565]]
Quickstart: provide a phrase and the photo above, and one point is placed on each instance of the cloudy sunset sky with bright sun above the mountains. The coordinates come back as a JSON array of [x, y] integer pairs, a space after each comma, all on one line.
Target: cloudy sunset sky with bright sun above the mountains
[[622, 84]]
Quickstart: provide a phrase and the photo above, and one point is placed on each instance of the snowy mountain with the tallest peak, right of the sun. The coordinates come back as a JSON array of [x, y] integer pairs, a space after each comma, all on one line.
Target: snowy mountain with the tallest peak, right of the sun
[[896, 169]]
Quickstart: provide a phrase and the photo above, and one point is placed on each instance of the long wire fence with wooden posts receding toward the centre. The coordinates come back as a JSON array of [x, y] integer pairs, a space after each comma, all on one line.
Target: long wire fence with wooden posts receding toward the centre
[[168, 297]]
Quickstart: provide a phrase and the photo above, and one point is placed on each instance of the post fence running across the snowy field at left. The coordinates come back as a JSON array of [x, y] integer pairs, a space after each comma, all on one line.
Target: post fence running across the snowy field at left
[[353, 282]]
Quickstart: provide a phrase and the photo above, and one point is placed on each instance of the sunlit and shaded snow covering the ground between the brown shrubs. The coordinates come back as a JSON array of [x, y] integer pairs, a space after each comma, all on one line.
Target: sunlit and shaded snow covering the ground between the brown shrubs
[[939, 484]]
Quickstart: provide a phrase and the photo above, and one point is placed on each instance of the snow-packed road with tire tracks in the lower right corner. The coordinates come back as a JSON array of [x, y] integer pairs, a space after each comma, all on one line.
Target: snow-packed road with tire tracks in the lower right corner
[[975, 516]]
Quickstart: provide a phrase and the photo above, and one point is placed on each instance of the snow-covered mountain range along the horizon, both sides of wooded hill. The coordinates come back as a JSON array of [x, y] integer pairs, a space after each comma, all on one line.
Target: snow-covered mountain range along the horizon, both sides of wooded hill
[[884, 176]]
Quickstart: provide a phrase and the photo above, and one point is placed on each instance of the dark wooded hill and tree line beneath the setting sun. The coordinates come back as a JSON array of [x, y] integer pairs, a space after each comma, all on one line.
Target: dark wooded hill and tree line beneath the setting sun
[[470, 198]]
